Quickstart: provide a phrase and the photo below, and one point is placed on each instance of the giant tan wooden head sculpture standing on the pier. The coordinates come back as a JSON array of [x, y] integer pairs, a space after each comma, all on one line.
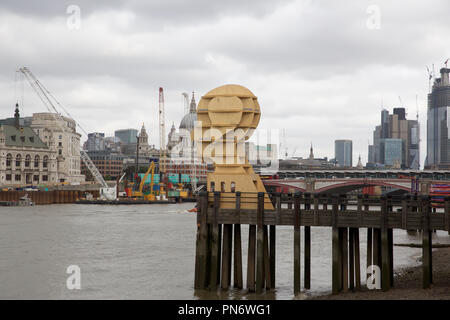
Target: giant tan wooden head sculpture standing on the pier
[[227, 117]]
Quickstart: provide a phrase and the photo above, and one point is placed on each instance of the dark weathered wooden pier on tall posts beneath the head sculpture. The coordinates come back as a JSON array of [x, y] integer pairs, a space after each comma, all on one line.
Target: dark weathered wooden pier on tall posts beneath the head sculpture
[[219, 237]]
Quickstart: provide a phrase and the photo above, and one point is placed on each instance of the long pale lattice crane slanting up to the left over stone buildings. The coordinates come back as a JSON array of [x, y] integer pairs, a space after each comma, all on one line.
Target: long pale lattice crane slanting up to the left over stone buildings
[[49, 101]]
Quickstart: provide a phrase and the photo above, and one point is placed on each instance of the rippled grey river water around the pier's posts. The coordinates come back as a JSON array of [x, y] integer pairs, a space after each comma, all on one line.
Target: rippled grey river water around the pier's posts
[[139, 252]]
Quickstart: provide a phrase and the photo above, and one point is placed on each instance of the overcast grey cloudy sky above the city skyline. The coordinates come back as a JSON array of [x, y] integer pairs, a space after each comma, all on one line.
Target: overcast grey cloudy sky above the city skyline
[[320, 69]]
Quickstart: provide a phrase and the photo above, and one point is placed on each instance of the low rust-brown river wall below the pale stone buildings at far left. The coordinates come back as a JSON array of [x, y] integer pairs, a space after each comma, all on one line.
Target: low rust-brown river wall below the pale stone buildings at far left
[[46, 197]]
